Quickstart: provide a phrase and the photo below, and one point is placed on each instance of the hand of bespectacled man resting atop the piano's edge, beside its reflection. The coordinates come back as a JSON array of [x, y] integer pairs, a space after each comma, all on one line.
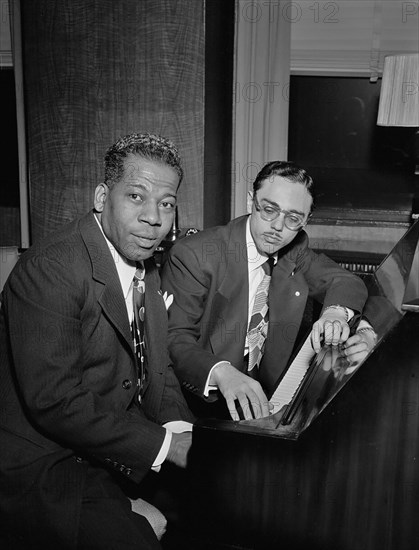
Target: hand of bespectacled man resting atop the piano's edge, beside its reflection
[[331, 329]]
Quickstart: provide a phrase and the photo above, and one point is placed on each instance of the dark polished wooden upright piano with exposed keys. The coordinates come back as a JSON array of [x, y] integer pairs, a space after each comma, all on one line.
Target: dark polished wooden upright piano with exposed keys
[[337, 466]]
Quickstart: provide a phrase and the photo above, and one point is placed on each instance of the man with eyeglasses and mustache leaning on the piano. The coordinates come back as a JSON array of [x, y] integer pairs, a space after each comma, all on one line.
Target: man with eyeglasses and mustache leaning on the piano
[[216, 279]]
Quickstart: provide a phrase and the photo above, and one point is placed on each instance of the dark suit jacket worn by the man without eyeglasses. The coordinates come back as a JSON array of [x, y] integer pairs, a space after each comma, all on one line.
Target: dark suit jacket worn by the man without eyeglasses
[[68, 385]]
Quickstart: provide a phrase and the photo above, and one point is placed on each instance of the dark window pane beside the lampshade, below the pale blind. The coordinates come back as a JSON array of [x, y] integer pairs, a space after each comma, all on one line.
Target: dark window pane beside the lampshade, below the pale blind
[[333, 135]]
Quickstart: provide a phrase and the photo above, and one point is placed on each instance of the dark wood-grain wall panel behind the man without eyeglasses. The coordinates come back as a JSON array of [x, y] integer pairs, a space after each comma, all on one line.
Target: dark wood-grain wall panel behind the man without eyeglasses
[[95, 70]]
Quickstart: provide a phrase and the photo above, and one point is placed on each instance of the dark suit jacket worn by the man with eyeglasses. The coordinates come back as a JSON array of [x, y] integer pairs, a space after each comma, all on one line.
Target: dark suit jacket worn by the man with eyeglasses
[[208, 275]]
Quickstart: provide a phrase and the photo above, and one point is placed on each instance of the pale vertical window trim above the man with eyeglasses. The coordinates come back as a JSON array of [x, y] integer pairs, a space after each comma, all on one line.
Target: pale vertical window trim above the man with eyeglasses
[[261, 92]]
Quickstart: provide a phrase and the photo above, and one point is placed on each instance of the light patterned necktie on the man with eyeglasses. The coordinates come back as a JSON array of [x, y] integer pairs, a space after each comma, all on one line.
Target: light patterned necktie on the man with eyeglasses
[[258, 326]]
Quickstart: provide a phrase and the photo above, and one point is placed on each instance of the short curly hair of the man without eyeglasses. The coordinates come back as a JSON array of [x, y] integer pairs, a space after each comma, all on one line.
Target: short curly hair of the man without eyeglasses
[[149, 146]]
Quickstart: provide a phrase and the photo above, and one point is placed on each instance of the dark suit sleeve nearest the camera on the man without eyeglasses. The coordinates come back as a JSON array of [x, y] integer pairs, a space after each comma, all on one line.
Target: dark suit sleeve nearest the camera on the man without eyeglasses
[[73, 395]]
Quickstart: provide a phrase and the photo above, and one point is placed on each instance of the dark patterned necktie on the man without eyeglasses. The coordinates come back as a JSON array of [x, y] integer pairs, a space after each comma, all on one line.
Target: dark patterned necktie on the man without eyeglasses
[[138, 291]]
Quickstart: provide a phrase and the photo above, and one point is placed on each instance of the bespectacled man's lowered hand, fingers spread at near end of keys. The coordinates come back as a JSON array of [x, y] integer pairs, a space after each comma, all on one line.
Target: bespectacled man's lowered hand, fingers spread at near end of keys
[[238, 387]]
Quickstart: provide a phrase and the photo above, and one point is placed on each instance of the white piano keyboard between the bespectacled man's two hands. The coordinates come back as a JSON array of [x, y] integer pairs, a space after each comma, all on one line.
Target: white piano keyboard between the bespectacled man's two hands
[[293, 377]]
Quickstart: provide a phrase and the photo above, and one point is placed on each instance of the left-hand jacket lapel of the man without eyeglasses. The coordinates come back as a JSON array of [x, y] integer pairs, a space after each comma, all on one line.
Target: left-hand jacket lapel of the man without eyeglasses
[[110, 295]]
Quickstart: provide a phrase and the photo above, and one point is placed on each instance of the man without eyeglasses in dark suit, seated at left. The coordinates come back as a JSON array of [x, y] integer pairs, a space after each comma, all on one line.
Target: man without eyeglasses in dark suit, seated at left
[[77, 421]]
